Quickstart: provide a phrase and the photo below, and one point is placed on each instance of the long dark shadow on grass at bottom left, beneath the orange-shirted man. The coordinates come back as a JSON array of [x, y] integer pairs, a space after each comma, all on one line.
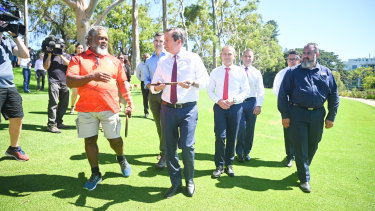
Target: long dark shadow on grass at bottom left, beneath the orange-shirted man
[[70, 187]]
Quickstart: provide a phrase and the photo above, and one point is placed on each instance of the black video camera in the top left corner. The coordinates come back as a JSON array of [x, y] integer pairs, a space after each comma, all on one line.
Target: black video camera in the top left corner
[[10, 14]]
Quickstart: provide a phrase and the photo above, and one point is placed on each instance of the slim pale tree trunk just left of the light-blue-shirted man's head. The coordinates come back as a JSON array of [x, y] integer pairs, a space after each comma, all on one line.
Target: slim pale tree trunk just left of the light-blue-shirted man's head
[[135, 47]]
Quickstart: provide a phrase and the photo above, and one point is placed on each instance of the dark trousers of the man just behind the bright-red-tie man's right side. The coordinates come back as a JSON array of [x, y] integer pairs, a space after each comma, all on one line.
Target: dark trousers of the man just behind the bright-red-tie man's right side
[[247, 125]]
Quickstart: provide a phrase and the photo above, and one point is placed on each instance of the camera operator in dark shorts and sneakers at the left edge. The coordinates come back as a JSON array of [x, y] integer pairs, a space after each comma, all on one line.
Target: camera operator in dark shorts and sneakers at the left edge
[[10, 99]]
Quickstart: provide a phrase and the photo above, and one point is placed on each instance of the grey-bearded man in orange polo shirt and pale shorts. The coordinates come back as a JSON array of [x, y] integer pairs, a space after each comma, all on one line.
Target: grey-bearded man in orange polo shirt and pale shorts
[[98, 76]]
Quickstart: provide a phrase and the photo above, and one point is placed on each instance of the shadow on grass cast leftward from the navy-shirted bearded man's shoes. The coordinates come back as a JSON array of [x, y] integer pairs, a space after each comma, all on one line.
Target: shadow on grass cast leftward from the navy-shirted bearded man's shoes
[[258, 184]]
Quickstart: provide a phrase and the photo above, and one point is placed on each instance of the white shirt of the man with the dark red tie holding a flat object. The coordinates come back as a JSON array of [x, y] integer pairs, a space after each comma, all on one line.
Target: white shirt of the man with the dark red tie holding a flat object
[[189, 67]]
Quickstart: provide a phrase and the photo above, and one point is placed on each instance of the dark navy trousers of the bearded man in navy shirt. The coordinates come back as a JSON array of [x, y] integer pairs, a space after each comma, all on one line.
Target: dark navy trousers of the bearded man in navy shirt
[[307, 129]]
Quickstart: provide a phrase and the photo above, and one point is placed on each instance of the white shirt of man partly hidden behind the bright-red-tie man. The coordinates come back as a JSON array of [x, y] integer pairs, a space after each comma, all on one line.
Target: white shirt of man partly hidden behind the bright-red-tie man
[[256, 84]]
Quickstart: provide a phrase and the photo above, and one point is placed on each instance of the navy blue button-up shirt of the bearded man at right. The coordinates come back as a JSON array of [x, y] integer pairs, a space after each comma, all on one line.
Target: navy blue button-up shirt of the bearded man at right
[[310, 89]]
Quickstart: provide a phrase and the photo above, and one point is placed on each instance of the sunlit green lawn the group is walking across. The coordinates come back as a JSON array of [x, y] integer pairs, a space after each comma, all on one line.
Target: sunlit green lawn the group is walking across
[[342, 173]]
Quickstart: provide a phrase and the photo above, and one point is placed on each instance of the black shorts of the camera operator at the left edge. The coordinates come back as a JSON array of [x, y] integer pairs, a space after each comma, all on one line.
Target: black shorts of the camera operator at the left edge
[[10, 103]]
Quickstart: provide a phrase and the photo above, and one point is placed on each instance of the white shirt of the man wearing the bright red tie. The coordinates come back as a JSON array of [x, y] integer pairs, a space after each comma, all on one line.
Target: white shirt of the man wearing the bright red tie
[[238, 88]]
